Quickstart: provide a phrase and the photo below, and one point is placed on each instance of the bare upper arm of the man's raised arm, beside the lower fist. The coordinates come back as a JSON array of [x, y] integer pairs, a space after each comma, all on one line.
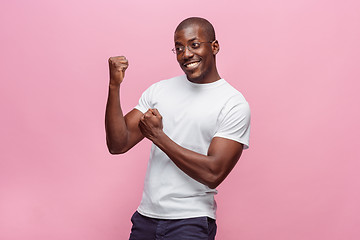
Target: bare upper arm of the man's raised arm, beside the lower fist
[[132, 119]]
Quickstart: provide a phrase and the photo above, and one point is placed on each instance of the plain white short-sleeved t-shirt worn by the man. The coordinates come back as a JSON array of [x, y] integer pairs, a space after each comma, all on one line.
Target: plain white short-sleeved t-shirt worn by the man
[[192, 115]]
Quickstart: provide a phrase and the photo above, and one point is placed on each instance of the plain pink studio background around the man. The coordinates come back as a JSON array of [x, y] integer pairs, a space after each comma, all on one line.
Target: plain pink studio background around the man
[[296, 62]]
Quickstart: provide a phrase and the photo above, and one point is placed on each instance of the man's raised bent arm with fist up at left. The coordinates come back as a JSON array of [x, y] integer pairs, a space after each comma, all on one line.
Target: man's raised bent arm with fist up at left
[[122, 132]]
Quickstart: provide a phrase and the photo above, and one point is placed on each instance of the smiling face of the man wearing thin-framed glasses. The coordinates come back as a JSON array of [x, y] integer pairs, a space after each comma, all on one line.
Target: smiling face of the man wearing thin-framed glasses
[[198, 63]]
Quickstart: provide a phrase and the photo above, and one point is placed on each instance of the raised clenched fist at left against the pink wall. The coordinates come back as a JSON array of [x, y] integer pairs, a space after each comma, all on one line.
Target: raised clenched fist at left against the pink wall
[[117, 67]]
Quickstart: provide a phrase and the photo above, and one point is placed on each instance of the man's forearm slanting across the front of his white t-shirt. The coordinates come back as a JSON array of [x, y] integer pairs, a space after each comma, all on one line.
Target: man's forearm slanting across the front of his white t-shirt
[[202, 168]]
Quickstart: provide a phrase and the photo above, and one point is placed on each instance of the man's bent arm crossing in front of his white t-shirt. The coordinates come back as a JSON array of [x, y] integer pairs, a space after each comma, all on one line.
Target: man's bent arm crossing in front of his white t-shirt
[[210, 169]]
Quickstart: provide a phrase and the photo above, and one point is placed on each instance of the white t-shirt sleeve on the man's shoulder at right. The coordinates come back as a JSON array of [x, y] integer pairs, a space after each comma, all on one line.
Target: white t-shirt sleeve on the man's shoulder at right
[[235, 122]]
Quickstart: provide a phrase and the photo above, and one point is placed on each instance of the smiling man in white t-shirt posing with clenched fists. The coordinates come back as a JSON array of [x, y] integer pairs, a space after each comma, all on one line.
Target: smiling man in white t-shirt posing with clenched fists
[[199, 126]]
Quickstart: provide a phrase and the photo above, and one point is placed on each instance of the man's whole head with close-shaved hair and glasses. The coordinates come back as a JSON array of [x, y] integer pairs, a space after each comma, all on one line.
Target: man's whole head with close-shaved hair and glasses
[[197, 47]]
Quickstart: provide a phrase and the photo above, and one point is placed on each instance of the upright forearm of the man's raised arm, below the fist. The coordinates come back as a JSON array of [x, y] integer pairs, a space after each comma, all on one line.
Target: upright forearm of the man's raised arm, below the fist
[[115, 125]]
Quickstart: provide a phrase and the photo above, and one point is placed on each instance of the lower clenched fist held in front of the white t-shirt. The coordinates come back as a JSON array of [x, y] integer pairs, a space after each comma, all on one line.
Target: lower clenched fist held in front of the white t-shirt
[[150, 124]]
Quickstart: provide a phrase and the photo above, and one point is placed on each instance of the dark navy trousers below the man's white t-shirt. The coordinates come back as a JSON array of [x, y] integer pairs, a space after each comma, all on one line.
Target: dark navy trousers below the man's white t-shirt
[[145, 228]]
